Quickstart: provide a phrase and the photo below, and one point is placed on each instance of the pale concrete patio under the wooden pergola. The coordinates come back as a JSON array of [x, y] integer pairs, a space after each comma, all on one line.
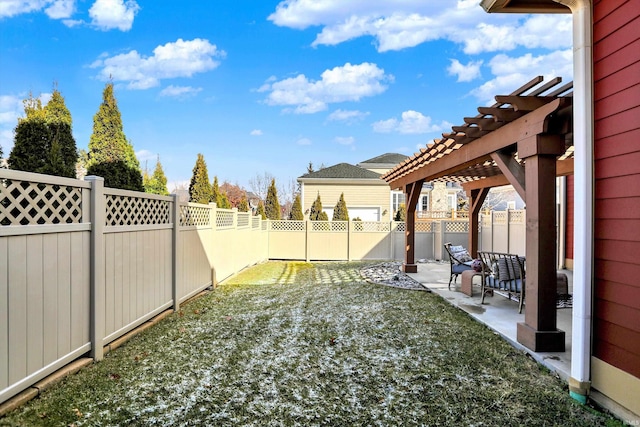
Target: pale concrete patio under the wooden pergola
[[497, 312]]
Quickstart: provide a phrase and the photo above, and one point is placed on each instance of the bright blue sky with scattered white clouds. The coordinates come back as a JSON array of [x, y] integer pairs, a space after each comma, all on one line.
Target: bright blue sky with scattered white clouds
[[269, 86]]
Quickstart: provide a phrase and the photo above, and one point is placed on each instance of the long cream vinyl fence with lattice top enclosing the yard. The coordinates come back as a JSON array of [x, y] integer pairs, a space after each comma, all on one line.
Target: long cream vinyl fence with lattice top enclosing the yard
[[81, 265]]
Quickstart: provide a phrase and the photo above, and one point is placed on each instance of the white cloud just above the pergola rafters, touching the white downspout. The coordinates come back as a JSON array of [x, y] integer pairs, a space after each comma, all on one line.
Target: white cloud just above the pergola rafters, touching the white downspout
[[511, 72]]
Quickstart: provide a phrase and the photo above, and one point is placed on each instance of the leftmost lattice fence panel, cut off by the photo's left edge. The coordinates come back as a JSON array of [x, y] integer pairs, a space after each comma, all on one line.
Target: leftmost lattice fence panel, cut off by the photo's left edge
[[30, 203]]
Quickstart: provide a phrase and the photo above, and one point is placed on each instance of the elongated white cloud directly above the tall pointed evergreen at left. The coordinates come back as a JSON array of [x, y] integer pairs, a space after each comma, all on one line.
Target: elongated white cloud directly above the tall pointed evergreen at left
[[172, 60]]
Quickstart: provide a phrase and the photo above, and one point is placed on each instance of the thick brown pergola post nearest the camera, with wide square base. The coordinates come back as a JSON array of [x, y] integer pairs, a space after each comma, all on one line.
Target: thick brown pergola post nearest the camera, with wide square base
[[539, 330]]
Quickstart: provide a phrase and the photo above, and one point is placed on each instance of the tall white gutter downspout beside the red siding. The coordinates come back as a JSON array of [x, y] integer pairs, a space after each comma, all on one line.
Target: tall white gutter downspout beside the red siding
[[583, 116]]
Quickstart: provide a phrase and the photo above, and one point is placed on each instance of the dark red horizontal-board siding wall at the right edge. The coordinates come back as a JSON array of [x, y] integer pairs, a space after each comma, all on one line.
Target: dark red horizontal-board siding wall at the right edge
[[616, 70]]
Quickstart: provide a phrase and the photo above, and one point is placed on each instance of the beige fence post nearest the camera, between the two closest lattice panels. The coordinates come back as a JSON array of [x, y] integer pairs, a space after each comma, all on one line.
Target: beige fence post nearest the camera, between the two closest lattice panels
[[97, 281]]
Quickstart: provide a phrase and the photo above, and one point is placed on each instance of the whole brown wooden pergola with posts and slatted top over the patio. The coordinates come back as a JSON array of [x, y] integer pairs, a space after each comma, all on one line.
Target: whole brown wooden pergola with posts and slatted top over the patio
[[526, 140]]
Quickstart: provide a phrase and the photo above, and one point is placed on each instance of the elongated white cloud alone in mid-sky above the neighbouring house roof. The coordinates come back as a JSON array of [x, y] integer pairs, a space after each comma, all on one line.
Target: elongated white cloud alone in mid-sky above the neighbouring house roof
[[339, 84]]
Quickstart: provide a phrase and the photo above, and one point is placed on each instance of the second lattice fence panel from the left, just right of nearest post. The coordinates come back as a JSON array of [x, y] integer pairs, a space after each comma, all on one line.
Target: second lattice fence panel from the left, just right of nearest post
[[125, 210]]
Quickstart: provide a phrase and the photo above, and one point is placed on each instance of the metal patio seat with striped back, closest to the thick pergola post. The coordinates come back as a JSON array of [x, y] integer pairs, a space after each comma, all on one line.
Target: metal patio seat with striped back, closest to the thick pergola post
[[503, 273]]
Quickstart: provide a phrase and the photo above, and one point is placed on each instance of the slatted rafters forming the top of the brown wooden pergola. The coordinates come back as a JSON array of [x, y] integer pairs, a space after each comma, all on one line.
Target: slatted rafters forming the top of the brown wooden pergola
[[507, 109]]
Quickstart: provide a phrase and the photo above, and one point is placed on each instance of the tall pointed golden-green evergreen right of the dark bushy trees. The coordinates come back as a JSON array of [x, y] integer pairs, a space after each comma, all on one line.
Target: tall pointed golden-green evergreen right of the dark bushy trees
[[110, 154]]
